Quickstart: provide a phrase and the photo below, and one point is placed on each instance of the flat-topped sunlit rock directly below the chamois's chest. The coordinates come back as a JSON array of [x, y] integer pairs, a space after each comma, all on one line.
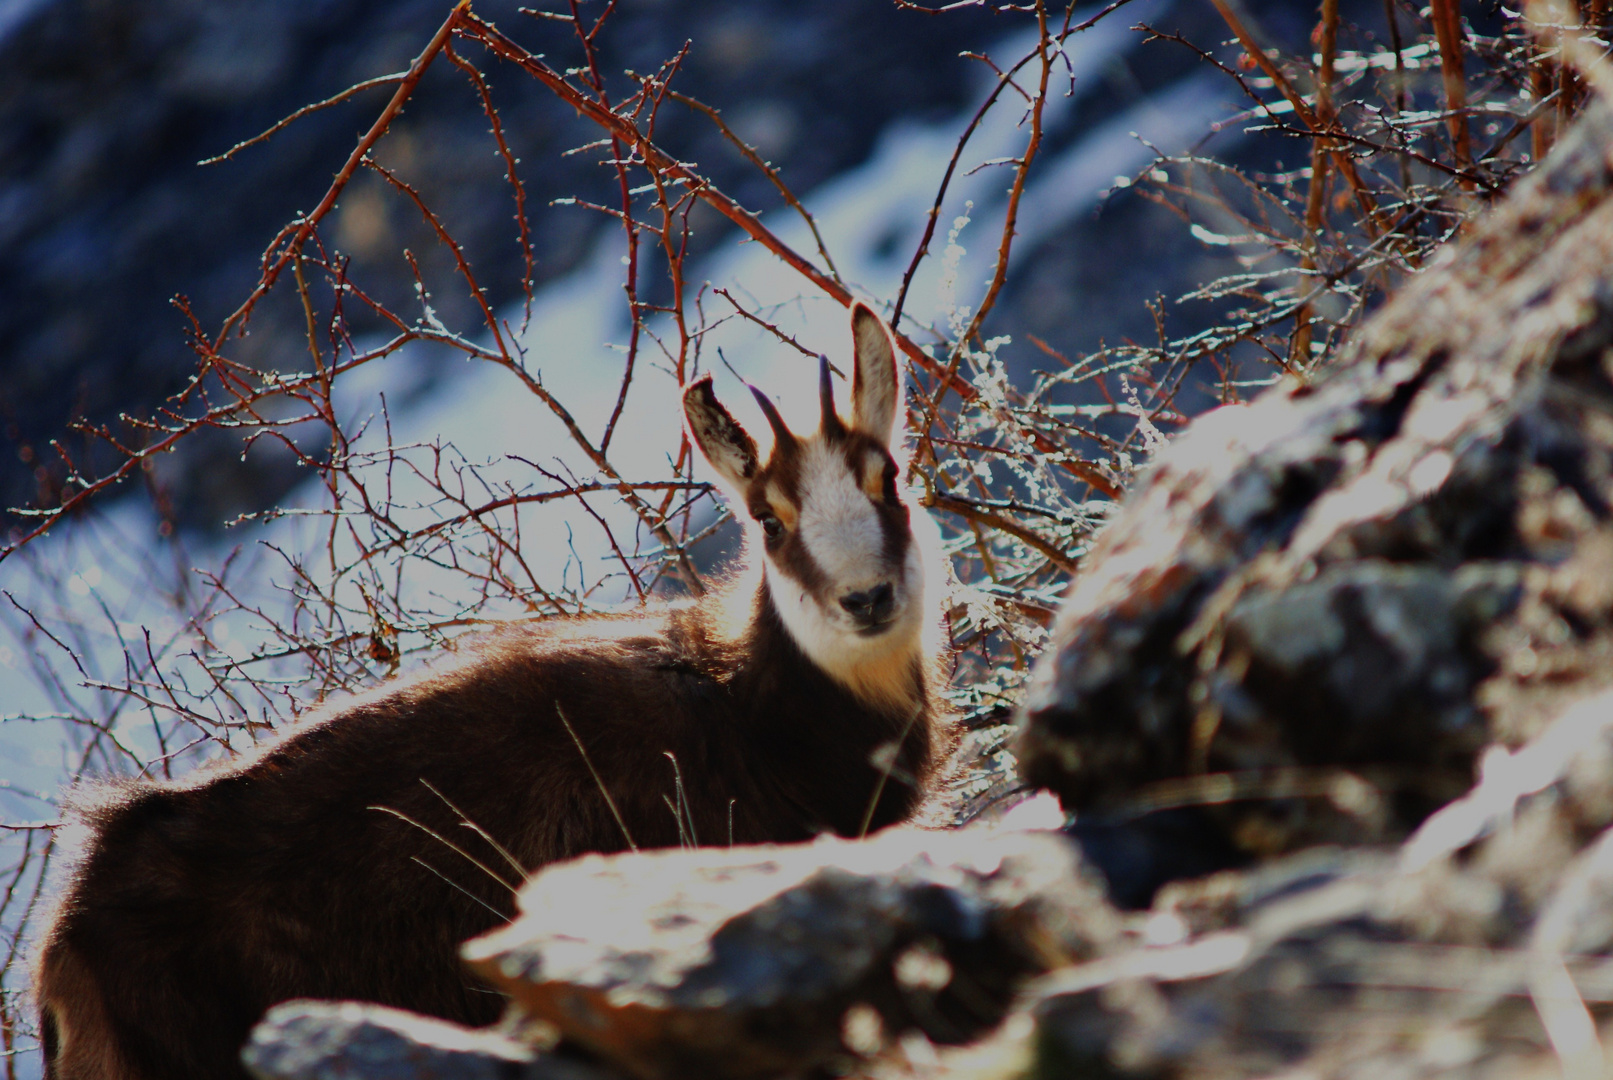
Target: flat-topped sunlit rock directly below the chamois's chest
[[756, 962]]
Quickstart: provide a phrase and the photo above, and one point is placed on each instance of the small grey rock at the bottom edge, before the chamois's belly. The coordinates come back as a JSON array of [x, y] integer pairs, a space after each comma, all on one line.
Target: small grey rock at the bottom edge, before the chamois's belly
[[319, 1041]]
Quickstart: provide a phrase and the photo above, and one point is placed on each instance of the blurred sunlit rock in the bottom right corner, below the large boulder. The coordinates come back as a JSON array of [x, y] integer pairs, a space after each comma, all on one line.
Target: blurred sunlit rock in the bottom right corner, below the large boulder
[[1480, 949]]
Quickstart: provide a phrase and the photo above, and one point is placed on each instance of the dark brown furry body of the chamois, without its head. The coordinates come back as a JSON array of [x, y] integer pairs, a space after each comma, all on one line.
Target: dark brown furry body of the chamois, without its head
[[199, 903]]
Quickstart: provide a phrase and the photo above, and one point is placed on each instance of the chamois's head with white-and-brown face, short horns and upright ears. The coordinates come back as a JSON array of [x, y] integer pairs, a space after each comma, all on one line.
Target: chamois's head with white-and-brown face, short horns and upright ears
[[836, 538]]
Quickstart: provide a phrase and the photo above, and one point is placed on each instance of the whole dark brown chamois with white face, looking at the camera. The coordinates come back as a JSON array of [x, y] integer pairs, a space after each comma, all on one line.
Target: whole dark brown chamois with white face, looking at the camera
[[799, 699]]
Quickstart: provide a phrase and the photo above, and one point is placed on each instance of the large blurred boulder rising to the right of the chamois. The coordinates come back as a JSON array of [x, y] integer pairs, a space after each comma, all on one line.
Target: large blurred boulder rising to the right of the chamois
[[1319, 609]]
